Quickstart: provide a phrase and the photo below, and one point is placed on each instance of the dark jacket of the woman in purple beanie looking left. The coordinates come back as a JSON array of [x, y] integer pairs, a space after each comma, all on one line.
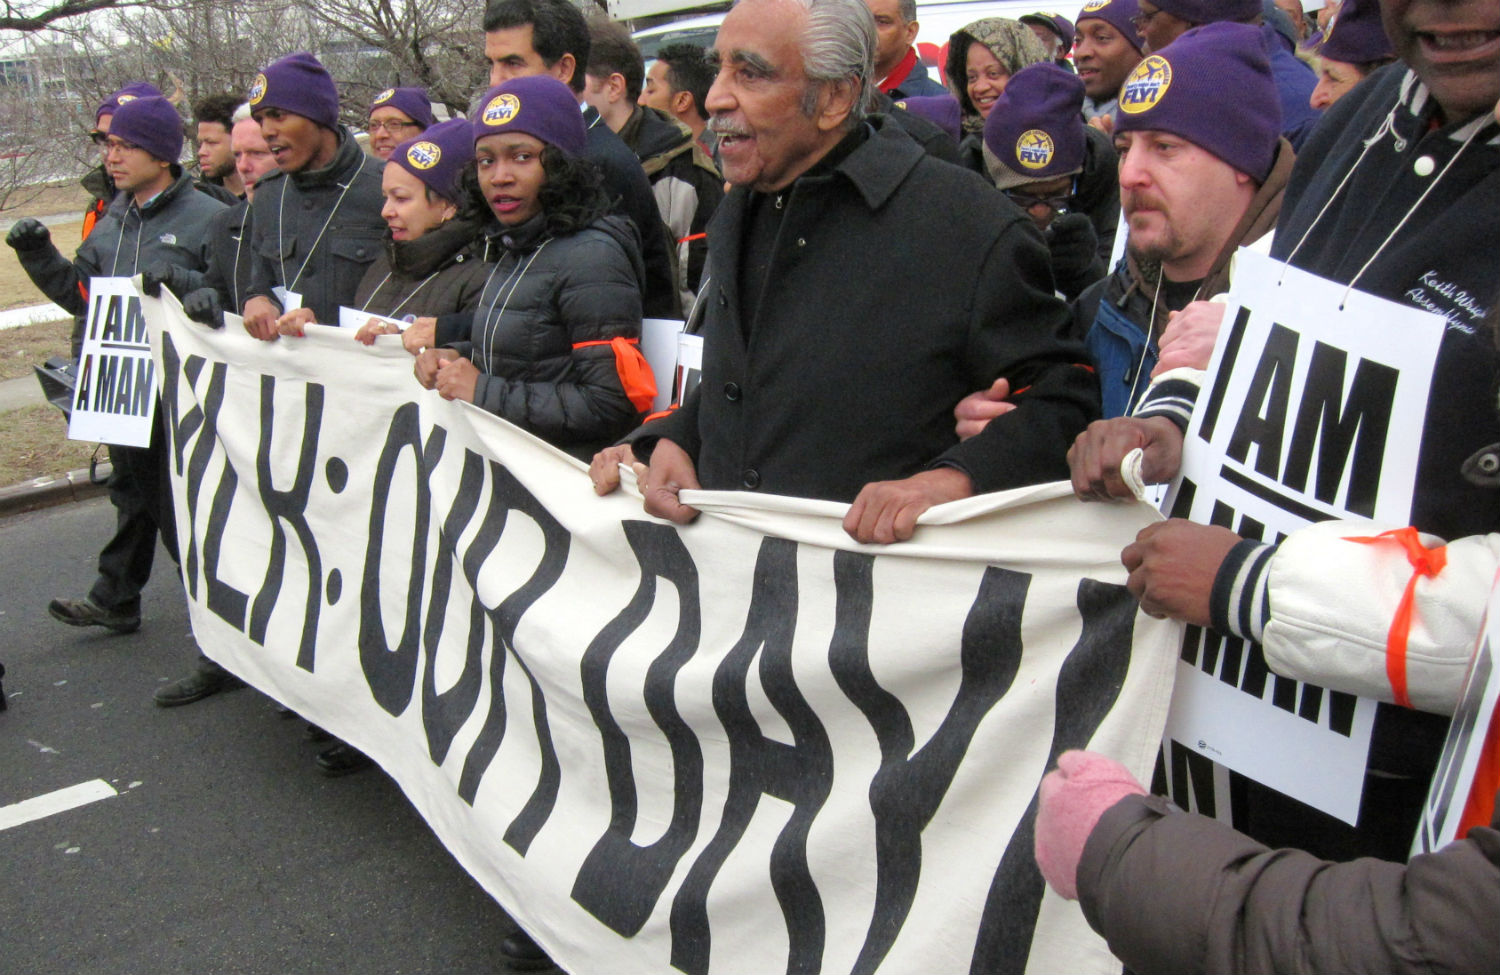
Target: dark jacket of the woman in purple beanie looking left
[[434, 275]]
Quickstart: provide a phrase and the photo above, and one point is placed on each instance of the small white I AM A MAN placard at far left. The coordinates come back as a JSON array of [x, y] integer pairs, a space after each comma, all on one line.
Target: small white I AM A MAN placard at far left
[[115, 400]]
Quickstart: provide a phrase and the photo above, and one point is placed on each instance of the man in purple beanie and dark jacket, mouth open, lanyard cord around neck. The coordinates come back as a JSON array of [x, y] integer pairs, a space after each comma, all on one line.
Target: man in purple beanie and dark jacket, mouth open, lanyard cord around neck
[[316, 221]]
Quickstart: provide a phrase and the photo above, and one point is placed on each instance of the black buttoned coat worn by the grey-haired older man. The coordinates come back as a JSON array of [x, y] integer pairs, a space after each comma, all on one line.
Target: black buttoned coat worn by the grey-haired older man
[[898, 286]]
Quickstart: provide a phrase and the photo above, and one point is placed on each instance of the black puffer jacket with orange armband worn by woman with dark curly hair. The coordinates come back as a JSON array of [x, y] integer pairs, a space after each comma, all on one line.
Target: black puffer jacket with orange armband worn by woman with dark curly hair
[[544, 299]]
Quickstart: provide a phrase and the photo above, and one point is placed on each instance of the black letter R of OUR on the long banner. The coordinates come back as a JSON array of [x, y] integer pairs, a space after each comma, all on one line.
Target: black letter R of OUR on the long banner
[[511, 496]]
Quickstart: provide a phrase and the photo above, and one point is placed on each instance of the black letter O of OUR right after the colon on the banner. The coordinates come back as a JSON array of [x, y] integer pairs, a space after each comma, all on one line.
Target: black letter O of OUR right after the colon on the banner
[[392, 674]]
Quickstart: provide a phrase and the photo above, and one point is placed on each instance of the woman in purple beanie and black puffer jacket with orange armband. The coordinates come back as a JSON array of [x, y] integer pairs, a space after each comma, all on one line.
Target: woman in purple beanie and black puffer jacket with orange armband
[[554, 343]]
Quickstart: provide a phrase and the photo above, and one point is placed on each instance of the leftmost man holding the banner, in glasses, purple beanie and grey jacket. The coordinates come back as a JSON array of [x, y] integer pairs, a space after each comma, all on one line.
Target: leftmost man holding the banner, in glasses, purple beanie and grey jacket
[[158, 217]]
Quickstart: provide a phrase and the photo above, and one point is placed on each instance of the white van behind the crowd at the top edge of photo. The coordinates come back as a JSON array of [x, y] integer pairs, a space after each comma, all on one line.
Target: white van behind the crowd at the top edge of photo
[[938, 23]]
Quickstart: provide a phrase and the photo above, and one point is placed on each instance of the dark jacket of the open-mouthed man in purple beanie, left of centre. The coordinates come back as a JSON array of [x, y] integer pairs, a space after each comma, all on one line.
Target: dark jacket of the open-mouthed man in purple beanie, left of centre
[[343, 203]]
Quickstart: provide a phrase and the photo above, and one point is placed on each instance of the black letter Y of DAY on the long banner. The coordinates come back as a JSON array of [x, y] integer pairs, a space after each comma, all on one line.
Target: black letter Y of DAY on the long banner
[[908, 788]]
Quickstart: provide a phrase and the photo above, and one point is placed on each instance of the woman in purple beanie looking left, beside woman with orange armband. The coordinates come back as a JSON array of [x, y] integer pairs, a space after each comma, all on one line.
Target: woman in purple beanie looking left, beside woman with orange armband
[[431, 263]]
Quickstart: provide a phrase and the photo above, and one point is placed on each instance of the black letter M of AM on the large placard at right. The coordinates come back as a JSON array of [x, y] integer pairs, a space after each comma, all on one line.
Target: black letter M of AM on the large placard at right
[[1342, 428]]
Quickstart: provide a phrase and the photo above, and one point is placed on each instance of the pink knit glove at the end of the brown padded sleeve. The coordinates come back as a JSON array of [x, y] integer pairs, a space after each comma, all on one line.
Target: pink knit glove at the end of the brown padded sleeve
[[1072, 800]]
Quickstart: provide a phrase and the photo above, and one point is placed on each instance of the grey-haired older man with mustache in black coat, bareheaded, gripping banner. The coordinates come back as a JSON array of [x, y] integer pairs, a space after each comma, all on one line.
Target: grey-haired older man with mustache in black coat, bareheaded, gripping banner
[[815, 383]]
